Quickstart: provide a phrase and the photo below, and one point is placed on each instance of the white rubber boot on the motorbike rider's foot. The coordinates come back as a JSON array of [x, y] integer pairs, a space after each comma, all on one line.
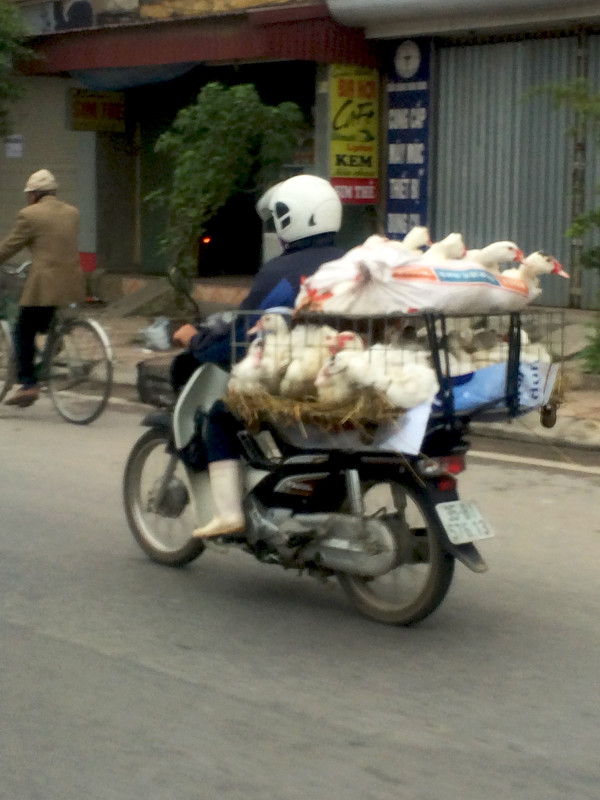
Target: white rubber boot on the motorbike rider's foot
[[225, 487]]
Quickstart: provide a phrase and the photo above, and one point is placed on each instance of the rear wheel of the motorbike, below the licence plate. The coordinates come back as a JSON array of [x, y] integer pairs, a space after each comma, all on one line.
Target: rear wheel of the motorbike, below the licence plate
[[418, 583]]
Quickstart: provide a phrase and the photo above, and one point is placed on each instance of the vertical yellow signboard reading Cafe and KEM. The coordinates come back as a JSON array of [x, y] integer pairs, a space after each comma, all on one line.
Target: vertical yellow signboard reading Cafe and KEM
[[354, 132]]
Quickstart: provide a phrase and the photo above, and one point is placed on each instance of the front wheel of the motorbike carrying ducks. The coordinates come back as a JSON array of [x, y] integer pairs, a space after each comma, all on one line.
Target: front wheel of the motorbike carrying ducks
[[158, 502]]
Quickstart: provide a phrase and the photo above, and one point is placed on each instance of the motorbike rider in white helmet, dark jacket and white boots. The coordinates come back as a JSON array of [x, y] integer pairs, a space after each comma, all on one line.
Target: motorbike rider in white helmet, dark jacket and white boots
[[307, 214]]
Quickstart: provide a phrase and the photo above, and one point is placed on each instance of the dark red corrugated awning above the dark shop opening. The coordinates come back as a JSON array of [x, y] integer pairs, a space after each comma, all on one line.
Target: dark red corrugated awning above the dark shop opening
[[304, 33]]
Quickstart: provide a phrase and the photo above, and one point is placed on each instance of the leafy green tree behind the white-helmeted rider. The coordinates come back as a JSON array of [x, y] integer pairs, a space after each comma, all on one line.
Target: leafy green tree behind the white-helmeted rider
[[226, 143]]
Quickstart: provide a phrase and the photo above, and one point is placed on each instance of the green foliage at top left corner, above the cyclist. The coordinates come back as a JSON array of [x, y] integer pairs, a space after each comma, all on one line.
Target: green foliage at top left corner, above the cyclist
[[12, 49]]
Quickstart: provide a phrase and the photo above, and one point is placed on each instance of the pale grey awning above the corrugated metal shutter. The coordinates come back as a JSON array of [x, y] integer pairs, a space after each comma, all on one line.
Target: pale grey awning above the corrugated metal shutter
[[383, 19]]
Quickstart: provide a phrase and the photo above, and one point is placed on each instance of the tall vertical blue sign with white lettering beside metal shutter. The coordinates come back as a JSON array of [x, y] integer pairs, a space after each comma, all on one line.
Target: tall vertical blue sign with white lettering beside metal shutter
[[408, 137]]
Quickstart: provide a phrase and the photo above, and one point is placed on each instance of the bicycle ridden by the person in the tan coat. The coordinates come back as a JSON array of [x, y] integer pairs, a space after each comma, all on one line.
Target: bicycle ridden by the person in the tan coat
[[75, 363]]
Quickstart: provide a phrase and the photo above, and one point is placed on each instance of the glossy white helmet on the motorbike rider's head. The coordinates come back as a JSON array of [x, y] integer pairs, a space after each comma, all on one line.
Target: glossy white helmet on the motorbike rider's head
[[302, 206]]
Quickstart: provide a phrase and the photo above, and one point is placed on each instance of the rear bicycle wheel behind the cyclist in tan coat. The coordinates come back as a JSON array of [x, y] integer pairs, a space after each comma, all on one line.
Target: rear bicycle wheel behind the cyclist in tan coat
[[80, 370]]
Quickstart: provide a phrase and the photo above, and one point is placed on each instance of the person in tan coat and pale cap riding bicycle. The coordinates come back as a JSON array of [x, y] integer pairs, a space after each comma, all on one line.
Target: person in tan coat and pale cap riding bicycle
[[49, 228]]
